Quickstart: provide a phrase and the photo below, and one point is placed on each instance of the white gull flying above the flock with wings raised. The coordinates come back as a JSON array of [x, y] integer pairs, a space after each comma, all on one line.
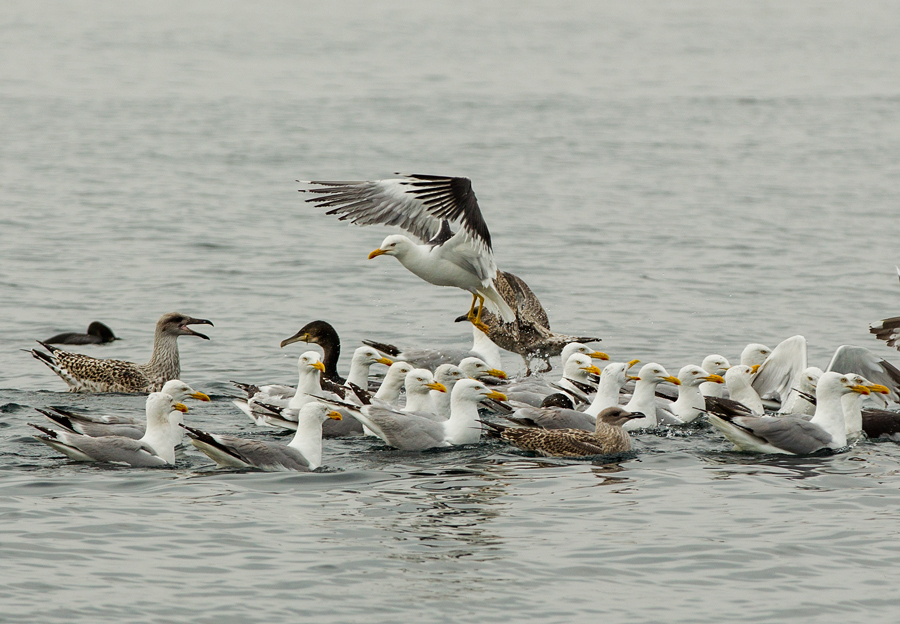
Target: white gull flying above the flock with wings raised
[[425, 206]]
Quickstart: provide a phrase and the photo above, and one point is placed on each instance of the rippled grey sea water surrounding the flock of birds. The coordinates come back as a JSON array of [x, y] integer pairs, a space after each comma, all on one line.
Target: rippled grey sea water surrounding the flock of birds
[[678, 178]]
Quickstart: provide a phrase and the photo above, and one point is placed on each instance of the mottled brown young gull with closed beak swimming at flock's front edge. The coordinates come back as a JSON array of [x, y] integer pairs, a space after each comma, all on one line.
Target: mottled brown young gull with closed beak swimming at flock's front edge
[[607, 438]]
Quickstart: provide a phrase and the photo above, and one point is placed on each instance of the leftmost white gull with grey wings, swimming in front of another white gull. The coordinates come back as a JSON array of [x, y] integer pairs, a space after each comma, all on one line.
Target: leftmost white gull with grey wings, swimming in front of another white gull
[[156, 448]]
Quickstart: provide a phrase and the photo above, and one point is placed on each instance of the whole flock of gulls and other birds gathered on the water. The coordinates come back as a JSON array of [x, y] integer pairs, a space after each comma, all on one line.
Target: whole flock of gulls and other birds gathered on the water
[[771, 402]]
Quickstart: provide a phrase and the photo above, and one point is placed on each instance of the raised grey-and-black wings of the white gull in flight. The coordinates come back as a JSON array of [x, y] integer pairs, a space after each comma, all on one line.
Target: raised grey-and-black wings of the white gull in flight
[[417, 203]]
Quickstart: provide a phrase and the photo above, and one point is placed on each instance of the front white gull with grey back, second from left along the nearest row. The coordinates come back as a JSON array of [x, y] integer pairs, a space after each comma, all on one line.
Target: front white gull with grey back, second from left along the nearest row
[[303, 452]]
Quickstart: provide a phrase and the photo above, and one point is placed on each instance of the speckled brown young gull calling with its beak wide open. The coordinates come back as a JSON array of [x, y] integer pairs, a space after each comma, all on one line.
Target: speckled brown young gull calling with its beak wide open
[[86, 374]]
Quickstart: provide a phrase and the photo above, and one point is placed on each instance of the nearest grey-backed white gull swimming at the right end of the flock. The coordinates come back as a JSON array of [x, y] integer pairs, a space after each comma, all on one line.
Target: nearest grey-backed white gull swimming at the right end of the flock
[[792, 435]]
